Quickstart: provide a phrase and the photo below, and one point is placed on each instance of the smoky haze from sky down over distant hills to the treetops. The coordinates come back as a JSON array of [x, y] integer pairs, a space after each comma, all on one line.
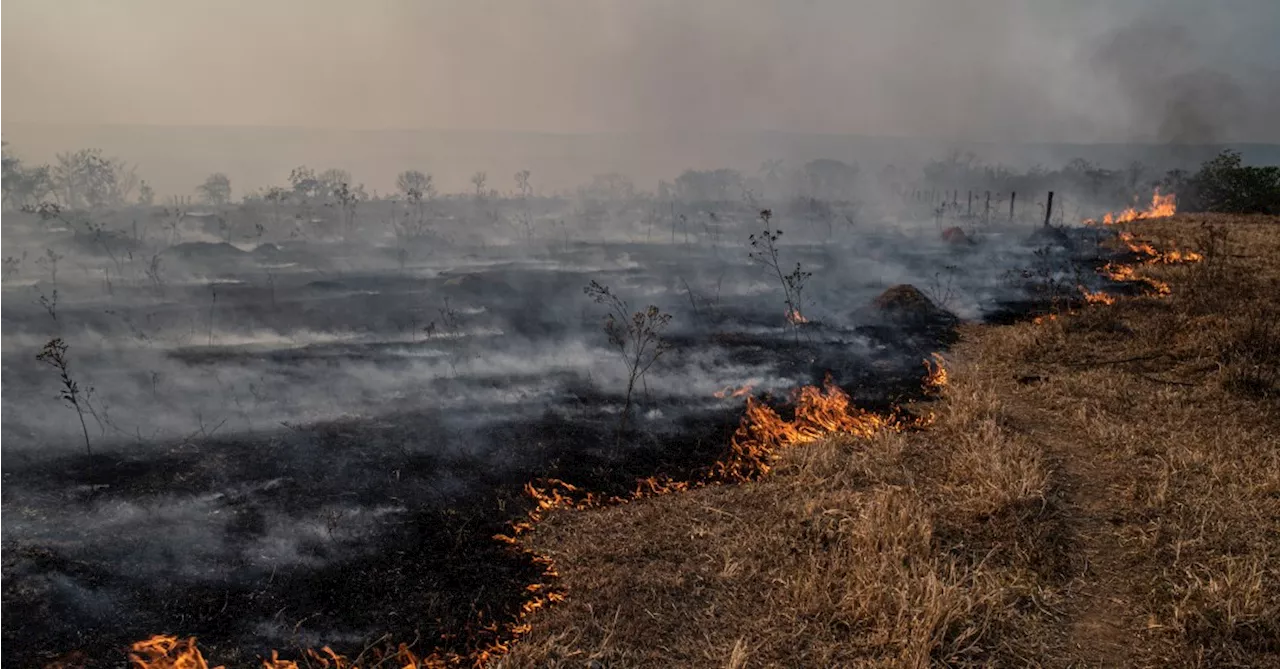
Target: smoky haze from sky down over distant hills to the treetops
[[644, 89]]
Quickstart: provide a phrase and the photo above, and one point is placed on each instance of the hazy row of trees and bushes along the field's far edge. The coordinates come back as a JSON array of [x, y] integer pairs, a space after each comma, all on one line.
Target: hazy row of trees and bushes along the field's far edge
[[90, 180]]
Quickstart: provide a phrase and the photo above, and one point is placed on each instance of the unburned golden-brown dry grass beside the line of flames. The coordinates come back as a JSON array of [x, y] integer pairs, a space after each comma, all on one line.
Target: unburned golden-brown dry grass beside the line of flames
[[1098, 491]]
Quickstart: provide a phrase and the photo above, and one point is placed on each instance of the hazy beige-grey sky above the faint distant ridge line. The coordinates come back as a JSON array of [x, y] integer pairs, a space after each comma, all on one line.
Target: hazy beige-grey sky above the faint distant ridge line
[[967, 70]]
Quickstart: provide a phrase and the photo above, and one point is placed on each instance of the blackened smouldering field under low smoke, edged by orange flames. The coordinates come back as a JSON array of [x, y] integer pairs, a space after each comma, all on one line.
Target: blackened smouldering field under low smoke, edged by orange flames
[[319, 419]]
